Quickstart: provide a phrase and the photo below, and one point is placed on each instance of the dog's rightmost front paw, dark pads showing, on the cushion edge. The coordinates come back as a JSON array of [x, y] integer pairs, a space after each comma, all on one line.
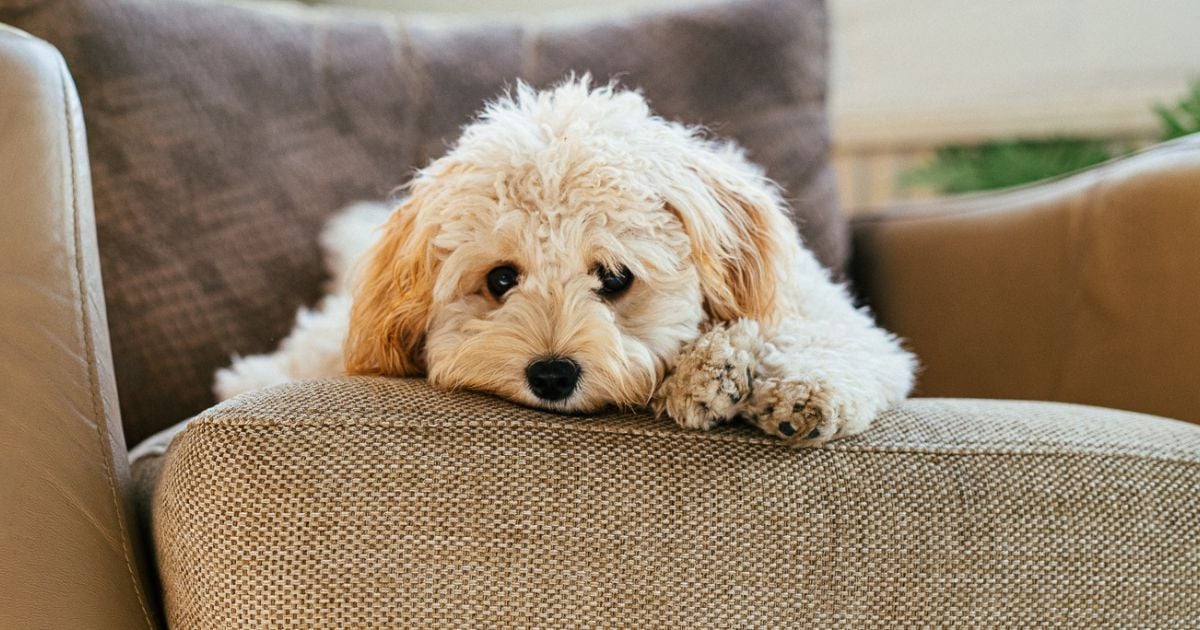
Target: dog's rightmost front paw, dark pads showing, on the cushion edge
[[803, 415]]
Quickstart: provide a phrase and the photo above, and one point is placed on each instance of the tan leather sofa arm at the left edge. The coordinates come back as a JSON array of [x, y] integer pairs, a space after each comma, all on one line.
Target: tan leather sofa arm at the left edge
[[68, 557]]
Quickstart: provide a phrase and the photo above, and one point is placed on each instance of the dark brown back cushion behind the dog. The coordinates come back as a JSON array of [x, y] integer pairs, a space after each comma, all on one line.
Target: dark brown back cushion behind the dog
[[223, 136]]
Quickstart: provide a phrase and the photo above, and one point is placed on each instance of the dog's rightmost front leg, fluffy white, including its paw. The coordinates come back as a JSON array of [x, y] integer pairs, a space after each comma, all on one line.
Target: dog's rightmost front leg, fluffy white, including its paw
[[820, 380]]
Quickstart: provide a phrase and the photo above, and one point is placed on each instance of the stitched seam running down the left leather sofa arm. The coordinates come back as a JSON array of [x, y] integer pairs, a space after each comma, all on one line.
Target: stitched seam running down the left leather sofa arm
[[89, 347]]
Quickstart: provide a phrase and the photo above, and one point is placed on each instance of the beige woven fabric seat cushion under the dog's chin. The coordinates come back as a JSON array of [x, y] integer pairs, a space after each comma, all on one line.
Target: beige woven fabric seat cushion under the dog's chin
[[379, 503]]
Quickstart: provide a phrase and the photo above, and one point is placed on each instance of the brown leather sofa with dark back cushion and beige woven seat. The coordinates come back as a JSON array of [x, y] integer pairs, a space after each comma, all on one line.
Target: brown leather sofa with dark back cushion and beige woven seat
[[165, 169]]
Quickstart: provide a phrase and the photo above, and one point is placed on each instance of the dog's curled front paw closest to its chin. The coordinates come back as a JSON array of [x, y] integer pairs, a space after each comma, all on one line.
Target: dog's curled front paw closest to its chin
[[713, 377]]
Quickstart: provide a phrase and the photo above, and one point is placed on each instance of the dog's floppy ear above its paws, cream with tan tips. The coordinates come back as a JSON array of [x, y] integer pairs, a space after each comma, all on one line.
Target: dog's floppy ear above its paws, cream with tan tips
[[739, 231]]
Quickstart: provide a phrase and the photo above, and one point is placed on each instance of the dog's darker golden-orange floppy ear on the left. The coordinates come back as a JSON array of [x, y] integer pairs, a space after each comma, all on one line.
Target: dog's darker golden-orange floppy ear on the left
[[393, 296]]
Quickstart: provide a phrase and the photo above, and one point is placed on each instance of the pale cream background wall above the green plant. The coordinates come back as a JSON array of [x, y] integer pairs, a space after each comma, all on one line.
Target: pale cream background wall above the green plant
[[914, 76]]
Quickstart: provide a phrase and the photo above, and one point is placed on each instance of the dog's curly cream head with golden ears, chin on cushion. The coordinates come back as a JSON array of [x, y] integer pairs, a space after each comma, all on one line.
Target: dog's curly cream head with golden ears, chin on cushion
[[565, 251]]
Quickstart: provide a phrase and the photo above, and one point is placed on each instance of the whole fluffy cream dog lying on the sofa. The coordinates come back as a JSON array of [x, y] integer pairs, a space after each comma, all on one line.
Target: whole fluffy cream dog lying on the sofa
[[575, 253]]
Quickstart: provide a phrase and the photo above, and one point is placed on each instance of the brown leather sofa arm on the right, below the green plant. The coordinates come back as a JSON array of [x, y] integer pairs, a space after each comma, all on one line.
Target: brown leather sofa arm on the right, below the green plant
[[1084, 290]]
